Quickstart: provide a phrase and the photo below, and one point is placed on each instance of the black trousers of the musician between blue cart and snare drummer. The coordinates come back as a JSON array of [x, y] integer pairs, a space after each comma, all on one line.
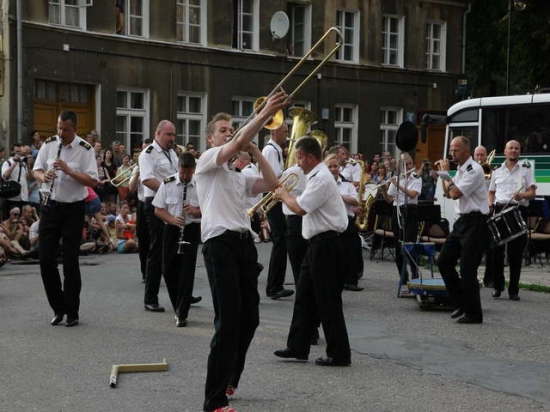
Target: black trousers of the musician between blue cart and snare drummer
[[466, 242]]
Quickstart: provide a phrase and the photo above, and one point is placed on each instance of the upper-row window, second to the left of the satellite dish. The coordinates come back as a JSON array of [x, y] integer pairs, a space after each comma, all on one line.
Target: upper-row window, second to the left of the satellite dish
[[191, 21]]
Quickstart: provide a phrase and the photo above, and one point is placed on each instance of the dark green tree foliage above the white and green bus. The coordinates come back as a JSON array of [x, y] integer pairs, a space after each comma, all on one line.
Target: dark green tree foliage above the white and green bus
[[487, 45]]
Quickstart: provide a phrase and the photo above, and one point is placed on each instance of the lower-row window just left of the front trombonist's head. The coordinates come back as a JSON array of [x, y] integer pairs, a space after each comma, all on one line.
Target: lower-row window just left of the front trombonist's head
[[191, 120]]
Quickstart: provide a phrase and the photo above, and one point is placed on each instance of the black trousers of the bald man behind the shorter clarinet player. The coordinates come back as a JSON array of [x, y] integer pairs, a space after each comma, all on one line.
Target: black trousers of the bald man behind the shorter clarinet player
[[154, 256]]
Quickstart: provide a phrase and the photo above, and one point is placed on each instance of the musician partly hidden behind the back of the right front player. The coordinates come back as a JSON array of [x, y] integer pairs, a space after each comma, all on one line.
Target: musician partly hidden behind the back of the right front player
[[349, 236]]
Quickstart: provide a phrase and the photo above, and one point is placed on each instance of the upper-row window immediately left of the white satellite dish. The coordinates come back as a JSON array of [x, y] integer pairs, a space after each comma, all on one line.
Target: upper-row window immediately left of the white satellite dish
[[246, 23]]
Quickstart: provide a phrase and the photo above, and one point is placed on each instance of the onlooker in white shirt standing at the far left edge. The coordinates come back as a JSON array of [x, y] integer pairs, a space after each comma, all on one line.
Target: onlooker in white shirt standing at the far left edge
[[16, 169]]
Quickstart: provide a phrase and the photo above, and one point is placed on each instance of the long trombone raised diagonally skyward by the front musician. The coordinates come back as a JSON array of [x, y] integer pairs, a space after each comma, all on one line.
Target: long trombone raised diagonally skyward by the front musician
[[259, 104]]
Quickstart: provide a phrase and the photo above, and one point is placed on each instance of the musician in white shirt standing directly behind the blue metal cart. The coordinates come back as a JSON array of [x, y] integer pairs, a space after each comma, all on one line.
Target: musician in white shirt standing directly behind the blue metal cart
[[404, 197]]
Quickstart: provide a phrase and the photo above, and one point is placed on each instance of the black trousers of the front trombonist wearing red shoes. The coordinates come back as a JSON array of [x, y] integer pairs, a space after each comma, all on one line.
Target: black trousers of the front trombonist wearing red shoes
[[230, 261]]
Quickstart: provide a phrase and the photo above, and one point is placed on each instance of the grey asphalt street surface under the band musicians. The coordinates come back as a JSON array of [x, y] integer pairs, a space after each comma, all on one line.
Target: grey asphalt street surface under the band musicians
[[403, 358]]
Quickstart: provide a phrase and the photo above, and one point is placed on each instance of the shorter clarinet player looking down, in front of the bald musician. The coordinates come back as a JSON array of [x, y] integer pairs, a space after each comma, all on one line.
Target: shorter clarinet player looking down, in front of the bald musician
[[176, 204]]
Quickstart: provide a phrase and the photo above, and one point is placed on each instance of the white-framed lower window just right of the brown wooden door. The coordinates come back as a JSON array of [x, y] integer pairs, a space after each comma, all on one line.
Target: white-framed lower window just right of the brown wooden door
[[132, 117]]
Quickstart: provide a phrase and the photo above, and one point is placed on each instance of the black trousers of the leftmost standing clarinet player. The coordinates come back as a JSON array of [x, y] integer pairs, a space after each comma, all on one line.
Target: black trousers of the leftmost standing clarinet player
[[61, 221]]
